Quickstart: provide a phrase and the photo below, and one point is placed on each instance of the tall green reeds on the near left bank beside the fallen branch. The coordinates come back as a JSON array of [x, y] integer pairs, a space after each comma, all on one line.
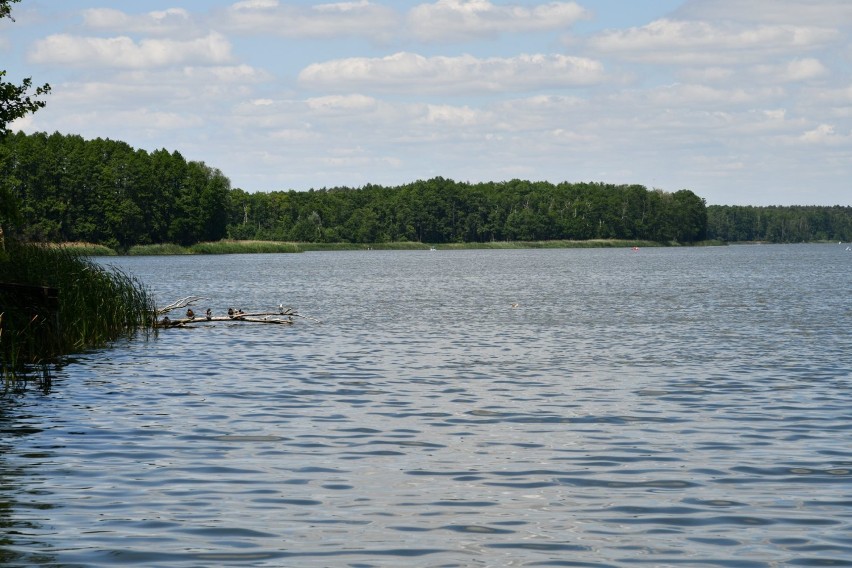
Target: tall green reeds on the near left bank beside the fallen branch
[[95, 306]]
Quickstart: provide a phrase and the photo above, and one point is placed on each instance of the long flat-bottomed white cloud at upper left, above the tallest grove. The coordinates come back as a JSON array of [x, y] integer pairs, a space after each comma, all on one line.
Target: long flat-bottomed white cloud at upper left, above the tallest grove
[[123, 52]]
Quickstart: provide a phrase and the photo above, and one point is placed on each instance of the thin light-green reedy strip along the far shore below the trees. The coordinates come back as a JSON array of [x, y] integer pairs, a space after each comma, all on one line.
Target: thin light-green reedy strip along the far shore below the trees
[[258, 247]]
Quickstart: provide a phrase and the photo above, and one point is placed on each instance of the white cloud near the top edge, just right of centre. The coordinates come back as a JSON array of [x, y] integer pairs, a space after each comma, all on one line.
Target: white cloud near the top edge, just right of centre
[[464, 19]]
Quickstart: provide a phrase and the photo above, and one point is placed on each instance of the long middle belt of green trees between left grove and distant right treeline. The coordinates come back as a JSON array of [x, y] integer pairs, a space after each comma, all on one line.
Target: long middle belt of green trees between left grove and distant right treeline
[[444, 211]]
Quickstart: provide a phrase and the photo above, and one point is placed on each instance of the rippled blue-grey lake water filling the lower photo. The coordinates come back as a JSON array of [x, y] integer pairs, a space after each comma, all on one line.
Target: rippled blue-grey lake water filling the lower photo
[[666, 407]]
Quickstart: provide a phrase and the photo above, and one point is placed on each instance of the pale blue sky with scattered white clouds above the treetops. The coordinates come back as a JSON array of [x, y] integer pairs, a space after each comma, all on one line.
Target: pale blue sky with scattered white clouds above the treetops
[[743, 103]]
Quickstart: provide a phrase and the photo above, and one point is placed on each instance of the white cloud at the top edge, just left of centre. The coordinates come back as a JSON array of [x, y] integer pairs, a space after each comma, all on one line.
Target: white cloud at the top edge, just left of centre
[[318, 21]]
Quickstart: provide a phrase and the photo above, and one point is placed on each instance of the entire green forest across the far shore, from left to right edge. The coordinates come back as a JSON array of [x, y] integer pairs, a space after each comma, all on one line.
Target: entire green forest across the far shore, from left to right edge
[[103, 191]]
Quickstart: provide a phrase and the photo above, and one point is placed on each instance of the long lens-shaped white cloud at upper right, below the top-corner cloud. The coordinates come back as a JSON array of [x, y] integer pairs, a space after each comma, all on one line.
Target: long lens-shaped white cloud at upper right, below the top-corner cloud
[[690, 42]]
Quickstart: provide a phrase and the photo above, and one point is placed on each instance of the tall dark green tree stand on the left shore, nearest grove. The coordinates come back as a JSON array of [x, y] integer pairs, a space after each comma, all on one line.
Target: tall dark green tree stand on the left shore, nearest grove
[[105, 192]]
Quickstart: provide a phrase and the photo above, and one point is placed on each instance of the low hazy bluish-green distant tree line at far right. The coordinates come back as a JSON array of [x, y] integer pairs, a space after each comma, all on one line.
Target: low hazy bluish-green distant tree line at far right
[[793, 224]]
